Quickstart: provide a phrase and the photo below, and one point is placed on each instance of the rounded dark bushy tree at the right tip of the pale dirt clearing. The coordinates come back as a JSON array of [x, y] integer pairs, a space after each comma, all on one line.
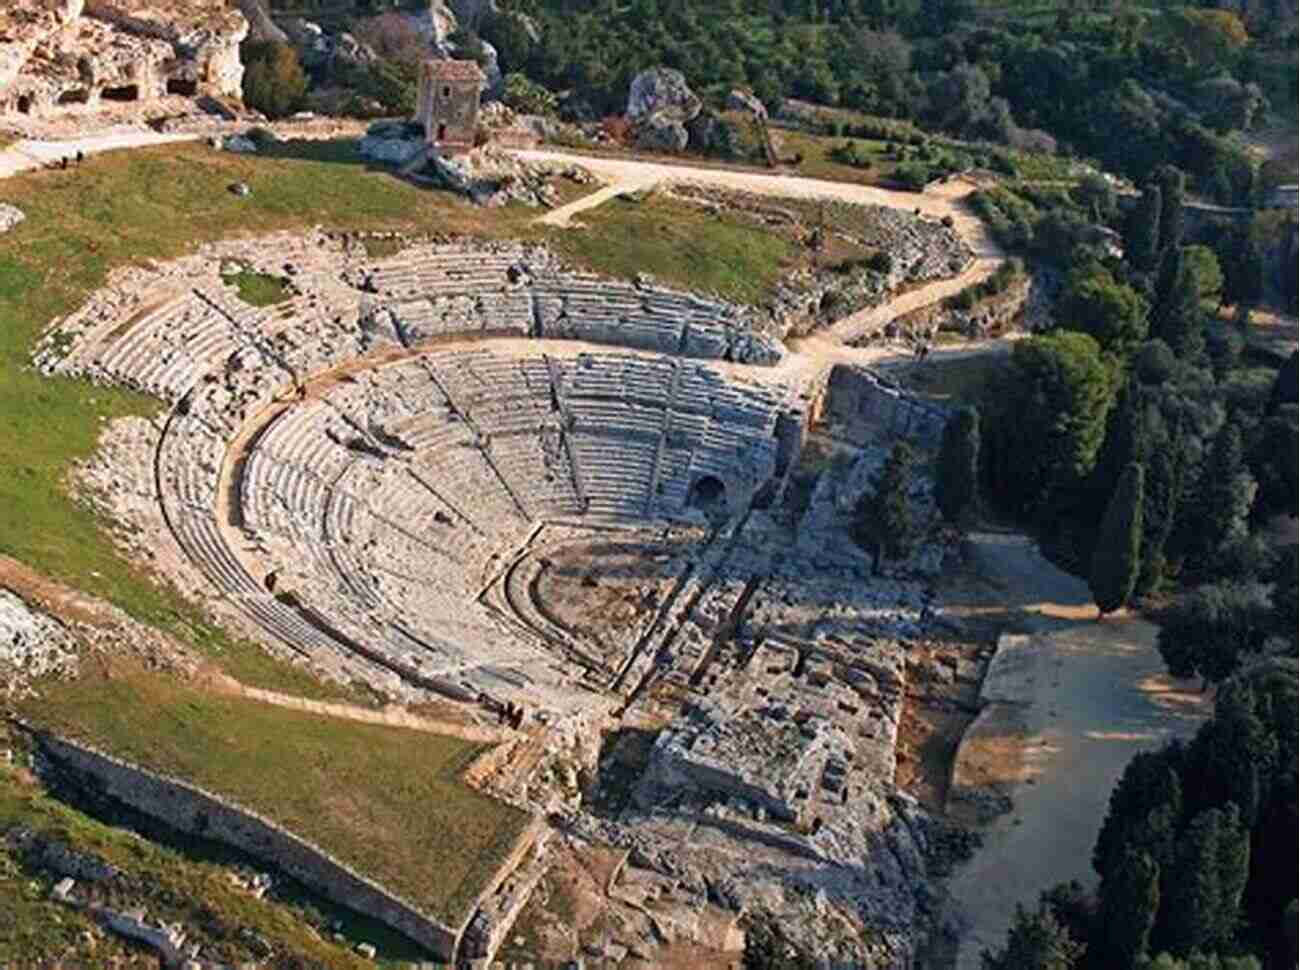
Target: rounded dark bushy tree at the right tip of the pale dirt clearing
[[1210, 631]]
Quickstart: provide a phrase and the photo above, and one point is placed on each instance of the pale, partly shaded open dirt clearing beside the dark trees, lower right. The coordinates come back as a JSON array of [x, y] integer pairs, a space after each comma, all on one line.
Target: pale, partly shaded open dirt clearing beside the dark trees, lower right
[[1090, 696]]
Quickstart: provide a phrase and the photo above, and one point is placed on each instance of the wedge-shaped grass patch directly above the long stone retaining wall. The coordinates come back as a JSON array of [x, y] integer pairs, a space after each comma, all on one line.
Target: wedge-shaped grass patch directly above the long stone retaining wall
[[385, 800]]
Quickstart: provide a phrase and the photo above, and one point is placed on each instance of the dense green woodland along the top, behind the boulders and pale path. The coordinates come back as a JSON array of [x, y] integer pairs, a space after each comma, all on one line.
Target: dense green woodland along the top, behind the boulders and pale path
[[1137, 89]]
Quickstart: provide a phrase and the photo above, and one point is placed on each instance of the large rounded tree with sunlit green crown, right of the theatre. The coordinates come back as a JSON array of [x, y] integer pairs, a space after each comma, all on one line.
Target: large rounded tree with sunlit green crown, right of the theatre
[[1051, 422]]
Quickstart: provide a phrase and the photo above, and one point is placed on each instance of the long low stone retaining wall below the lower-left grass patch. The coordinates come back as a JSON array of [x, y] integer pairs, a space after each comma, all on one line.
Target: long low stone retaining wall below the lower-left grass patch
[[201, 813]]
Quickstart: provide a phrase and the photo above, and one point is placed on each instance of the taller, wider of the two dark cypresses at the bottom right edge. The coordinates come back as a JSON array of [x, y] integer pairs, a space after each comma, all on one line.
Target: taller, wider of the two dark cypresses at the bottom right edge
[[1211, 871]]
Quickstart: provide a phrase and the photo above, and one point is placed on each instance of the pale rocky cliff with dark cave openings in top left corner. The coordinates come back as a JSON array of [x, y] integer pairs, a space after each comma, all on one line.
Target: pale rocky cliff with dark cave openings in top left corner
[[62, 57]]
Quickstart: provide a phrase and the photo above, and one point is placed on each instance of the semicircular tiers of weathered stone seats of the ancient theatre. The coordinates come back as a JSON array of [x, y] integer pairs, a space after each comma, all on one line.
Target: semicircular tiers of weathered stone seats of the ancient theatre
[[363, 522]]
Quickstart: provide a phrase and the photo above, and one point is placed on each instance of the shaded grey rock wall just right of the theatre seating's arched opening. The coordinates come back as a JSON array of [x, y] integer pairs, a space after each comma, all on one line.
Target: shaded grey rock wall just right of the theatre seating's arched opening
[[865, 406]]
